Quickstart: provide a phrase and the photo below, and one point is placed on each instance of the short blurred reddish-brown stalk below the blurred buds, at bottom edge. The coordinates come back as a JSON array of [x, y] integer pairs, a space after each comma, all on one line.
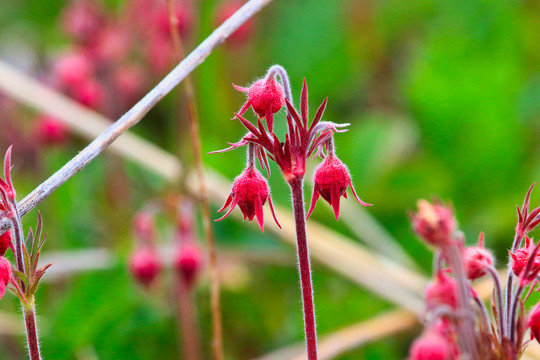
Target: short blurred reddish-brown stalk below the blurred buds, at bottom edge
[[187, 322]]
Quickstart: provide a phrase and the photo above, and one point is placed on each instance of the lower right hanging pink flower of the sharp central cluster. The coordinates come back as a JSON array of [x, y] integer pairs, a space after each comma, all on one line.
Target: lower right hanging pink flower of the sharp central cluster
[[331, 180]]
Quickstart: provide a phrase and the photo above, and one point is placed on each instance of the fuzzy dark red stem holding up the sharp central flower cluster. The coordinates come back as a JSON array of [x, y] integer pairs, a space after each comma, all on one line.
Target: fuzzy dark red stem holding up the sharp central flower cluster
[[297, 191]]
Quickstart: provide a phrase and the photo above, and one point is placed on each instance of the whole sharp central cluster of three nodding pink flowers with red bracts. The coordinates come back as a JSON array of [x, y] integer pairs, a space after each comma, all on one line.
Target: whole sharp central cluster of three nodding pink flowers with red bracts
[[250, 190]]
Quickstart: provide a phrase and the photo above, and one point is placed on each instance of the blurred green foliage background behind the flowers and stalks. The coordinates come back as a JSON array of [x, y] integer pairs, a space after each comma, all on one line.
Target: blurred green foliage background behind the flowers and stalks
[[443, 98]]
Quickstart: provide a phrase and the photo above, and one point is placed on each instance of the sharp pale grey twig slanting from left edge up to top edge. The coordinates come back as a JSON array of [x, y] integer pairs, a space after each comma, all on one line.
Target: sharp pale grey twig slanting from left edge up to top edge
[[136, 113]]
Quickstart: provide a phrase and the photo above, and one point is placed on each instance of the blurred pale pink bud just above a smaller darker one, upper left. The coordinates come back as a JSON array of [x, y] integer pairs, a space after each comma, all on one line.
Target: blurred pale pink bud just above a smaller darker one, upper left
[[73, 69]]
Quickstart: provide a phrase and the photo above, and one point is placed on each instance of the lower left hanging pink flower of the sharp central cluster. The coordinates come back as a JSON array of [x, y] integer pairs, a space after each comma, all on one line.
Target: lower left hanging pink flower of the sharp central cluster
[[250, 191]]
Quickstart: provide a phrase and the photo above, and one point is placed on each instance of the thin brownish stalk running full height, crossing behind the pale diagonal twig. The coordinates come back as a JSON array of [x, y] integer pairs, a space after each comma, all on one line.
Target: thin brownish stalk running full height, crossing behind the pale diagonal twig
[[193, 120]]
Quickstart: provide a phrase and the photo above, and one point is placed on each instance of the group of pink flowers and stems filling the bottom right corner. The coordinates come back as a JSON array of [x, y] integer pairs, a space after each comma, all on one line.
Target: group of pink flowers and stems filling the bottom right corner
[[457, 321]]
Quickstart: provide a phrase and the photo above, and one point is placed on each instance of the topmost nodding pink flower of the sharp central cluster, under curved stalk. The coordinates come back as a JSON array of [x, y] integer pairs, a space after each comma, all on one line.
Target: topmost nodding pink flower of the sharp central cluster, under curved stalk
[[265, 97]]
